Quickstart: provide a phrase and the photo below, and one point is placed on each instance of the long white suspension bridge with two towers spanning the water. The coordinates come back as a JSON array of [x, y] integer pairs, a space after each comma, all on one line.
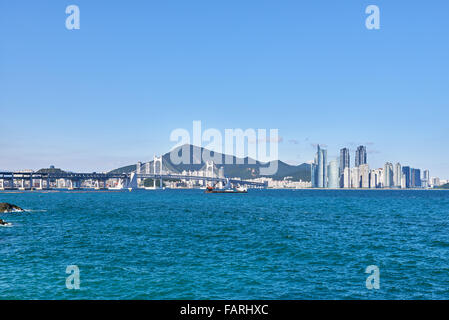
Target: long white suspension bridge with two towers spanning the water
[[156, 170]]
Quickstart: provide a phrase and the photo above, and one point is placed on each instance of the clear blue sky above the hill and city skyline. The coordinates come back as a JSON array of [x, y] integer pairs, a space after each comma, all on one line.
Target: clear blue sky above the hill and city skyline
[[110, 93]]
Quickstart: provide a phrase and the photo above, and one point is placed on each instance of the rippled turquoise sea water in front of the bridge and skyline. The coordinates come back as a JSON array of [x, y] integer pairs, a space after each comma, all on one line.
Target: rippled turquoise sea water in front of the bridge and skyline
[[267, 244]]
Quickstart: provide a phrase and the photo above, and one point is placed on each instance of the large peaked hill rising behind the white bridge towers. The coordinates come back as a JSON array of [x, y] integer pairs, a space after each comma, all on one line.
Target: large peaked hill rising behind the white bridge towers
[[249, 169]]
